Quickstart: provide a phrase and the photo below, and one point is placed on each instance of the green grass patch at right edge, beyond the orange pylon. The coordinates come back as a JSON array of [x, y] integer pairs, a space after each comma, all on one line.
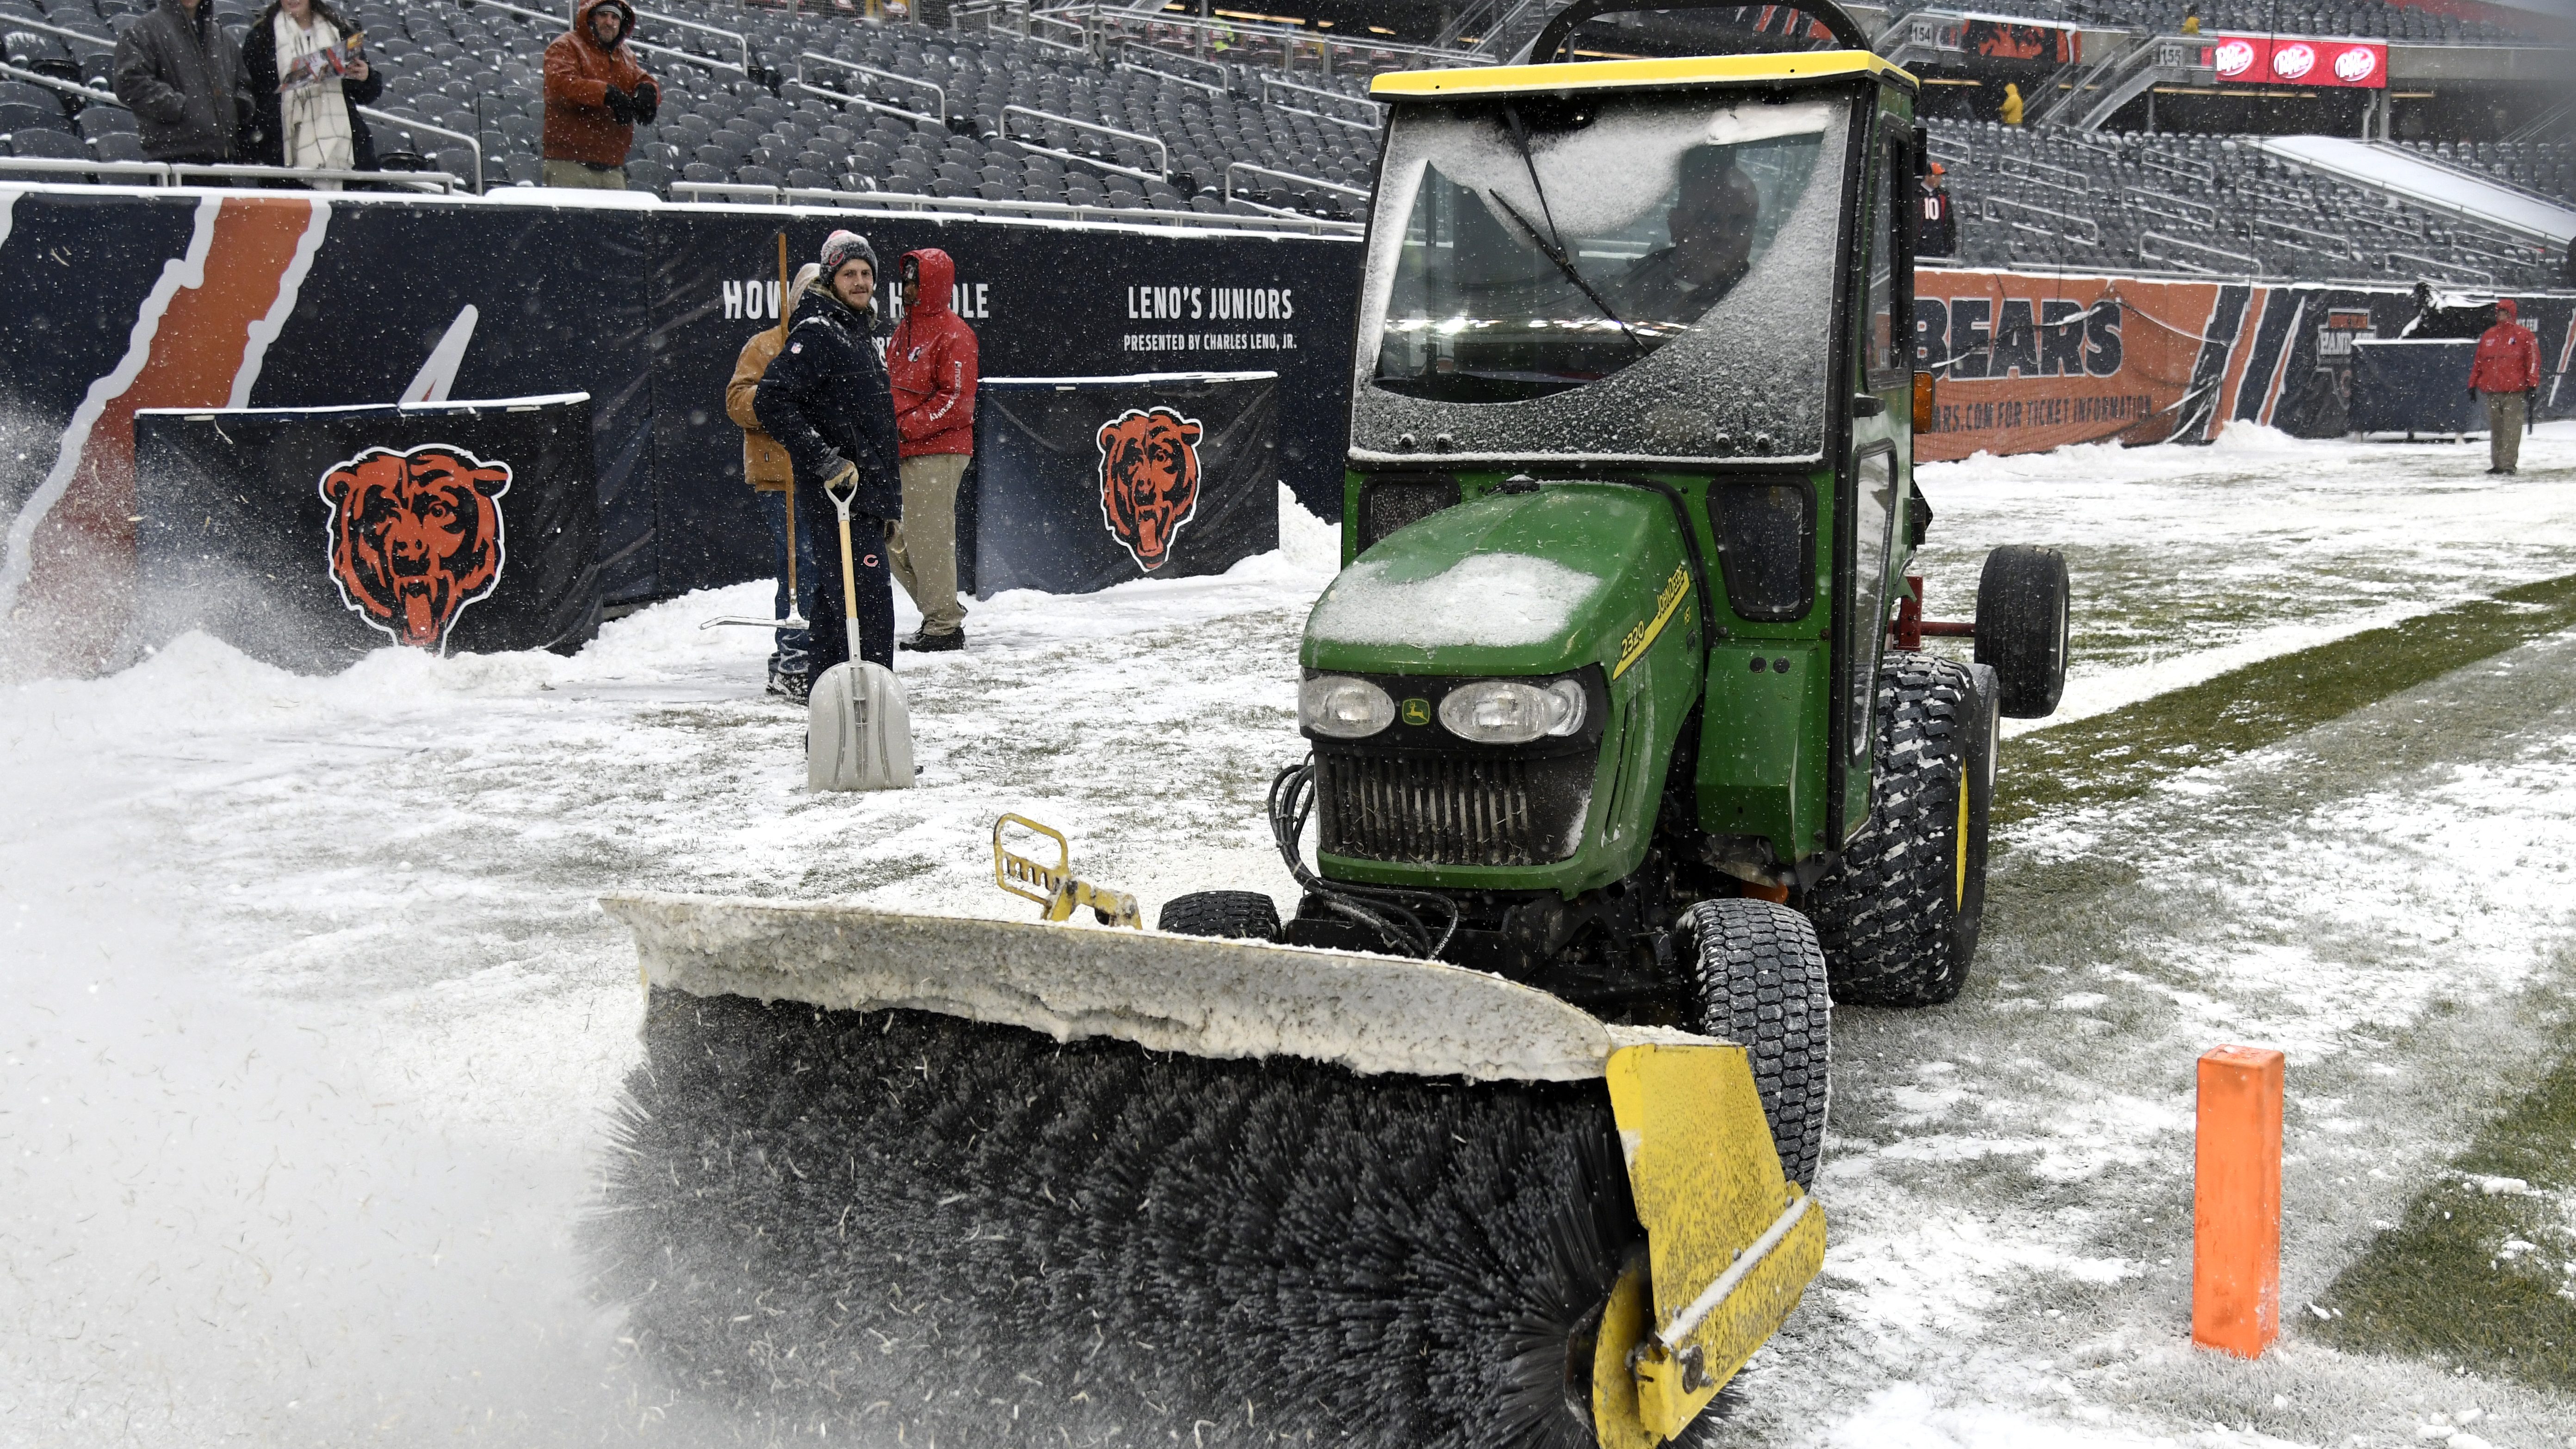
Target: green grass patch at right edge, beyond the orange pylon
[[2441, 1285]]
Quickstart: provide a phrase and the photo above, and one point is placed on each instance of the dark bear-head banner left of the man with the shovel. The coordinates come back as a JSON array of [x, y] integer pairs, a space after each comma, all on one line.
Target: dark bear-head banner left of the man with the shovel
[[316, 535]]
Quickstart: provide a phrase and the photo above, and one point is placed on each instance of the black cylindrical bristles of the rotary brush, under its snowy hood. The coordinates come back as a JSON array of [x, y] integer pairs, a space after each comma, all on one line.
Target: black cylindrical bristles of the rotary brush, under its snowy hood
[[983, 1236]]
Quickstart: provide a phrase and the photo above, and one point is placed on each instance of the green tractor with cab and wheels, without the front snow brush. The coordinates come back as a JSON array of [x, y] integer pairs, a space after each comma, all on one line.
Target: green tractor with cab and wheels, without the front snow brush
[[1606, 697]]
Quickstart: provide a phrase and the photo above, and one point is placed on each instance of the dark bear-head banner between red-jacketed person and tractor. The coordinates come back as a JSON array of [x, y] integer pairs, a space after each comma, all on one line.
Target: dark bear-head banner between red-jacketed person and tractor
[[1094, 481]]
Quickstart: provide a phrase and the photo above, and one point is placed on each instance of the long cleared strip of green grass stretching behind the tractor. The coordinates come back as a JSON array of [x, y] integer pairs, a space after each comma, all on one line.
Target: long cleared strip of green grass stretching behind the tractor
[[2126, 752]]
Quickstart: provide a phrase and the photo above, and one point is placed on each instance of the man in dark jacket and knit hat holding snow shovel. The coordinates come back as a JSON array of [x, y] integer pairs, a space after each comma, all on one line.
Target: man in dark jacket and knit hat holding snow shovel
[[831, 409]]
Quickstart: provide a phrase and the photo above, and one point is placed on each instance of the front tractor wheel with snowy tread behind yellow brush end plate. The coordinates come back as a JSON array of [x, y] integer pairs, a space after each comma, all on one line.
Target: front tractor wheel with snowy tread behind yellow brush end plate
[[1758, 981]]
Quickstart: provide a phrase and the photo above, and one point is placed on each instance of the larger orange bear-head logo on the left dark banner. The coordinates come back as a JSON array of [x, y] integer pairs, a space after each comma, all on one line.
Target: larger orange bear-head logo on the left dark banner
[[416, 538]]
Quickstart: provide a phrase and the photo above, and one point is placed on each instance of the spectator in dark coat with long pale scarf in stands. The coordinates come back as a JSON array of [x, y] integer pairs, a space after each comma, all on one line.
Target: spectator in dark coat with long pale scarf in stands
[[308, 86]]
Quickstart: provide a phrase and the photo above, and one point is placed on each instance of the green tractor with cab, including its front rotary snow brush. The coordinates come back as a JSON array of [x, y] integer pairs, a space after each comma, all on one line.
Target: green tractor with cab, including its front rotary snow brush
[[1616, 780]]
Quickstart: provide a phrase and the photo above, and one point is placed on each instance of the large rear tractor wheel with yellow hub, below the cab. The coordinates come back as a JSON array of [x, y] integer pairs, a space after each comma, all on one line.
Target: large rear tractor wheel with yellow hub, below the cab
[[1900, 914]]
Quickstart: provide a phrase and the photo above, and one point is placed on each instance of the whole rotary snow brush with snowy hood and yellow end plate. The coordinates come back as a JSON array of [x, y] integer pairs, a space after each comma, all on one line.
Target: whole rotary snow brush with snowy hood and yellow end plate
[[972, 1182]]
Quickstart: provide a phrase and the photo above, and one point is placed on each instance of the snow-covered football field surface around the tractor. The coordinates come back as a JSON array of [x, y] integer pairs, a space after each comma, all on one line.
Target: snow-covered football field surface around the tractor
[[313, 1020]]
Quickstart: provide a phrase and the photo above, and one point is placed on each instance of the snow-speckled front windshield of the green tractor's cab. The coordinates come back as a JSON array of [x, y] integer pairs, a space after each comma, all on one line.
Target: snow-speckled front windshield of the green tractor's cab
[[1645, 275]]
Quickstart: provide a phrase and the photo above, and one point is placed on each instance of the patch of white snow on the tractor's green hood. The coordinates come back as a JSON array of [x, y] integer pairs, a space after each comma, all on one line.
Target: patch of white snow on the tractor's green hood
[[1488, 599]]
